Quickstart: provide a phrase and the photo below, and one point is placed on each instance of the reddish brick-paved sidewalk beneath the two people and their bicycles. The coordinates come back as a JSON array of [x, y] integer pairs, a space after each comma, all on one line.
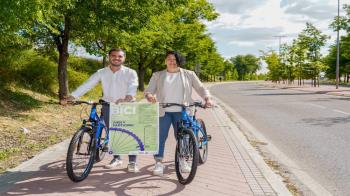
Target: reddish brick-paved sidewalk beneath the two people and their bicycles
[[230, 170]]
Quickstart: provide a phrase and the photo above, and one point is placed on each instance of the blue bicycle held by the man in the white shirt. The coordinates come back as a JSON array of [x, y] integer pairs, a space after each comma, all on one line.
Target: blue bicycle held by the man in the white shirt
[[88, 145]]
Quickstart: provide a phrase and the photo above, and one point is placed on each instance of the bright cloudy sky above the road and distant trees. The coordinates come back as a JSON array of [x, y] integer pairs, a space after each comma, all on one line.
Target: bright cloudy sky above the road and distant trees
[[248, 26]]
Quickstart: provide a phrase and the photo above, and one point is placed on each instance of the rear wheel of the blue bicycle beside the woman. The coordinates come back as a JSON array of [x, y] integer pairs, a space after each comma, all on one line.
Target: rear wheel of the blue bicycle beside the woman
[[202, 148]]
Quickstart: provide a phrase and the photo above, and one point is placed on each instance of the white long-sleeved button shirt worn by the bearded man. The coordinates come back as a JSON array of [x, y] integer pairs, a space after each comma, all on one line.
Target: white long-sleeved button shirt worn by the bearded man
[[114, 85]]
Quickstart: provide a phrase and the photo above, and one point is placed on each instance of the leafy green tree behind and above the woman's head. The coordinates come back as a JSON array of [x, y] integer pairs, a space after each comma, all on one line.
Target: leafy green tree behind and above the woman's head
[[178, 28]]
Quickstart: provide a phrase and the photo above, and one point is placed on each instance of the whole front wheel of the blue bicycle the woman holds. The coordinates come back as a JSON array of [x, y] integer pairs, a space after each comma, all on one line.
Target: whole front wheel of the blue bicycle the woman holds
[[186, 156]]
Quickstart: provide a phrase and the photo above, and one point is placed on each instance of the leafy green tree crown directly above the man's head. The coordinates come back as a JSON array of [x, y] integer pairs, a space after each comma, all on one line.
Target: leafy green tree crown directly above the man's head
[[113, 23]]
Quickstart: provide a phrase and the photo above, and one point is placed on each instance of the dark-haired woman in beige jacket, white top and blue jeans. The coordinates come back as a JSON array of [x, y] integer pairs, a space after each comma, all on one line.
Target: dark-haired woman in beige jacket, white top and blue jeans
[[172, 85]]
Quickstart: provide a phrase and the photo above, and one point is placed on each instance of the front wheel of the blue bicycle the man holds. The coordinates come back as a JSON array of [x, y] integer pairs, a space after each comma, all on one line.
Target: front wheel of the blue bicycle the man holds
[[80, 155]]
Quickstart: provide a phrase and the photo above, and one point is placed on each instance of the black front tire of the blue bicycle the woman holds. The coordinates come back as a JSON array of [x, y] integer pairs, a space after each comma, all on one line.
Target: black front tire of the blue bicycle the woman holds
[[181, 151]]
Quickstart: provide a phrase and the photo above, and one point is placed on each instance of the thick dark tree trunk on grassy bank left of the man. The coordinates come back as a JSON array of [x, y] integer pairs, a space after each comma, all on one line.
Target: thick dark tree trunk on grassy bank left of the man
[[62, 46]]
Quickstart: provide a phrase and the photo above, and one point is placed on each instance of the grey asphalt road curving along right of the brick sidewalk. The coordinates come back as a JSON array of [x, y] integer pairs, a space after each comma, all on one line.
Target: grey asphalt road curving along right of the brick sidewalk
[[311, 129]]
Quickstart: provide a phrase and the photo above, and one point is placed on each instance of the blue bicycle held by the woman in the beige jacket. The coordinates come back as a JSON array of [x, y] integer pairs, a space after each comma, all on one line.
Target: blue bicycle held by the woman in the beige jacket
[[192, 142]]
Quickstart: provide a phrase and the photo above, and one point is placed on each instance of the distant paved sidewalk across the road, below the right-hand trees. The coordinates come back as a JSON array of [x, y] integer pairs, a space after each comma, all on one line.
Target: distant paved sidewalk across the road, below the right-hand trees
[[324, 89]]
